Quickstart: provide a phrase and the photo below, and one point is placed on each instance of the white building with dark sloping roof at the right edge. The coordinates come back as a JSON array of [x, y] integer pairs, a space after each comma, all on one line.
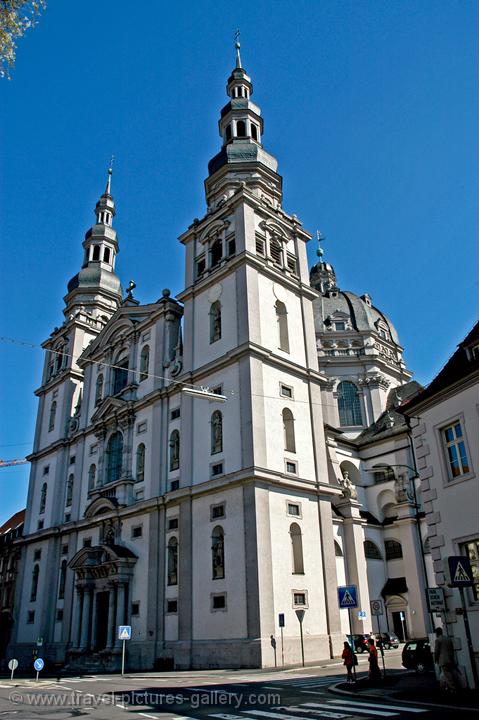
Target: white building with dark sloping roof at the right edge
[[445, 420]]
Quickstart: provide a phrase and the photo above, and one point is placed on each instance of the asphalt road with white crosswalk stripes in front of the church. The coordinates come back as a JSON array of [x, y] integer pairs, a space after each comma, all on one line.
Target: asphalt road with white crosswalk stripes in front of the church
[[299, 694]]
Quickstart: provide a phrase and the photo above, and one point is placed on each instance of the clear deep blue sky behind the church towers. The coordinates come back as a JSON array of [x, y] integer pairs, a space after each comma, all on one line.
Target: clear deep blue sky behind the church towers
[[372, 109]]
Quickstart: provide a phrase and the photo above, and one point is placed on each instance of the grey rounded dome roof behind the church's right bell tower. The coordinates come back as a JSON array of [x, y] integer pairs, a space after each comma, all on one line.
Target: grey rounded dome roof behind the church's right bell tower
[[362, 314]]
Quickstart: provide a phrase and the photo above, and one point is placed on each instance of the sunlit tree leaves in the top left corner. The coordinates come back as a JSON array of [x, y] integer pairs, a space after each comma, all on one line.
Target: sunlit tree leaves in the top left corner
[[16, 17]]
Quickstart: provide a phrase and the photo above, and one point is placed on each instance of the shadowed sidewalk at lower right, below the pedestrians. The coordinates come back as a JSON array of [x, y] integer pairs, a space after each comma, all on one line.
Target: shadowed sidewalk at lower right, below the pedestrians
[[410, 687]]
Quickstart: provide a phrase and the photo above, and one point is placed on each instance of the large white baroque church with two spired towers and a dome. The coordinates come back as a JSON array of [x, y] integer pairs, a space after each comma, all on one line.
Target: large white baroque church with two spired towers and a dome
[[198, 517]]
